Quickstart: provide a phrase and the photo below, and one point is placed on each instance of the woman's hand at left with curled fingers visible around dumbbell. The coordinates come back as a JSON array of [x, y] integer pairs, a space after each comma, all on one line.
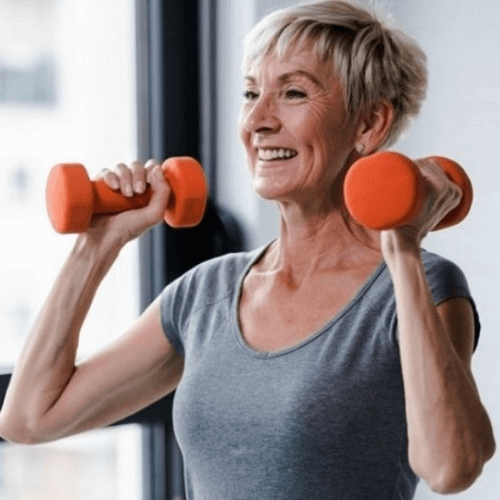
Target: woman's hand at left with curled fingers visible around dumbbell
[[130, 180]]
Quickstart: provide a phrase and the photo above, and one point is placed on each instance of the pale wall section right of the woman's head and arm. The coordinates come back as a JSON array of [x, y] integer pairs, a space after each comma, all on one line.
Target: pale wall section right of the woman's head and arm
[[461, 120]]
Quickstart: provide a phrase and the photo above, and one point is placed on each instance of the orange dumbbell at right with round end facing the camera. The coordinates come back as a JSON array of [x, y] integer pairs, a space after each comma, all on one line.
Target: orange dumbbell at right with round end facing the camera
[[384, 191]]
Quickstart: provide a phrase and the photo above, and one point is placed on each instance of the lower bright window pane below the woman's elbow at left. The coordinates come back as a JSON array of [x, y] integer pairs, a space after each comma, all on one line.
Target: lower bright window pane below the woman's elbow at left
[[100, 465]]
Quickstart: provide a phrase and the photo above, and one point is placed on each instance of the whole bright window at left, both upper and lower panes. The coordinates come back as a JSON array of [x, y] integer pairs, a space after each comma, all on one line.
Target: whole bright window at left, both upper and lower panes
[[67, 93]]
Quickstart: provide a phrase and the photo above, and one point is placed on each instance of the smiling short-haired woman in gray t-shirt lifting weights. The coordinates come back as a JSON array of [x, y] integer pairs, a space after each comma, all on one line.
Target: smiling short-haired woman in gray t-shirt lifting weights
[[334, 362]]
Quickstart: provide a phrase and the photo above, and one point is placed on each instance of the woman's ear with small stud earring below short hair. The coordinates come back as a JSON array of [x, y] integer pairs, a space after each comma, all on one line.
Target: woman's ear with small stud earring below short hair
[[374, 125]]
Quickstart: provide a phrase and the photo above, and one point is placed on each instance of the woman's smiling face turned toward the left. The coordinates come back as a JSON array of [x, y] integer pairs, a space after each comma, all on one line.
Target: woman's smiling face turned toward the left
[[294, 128]]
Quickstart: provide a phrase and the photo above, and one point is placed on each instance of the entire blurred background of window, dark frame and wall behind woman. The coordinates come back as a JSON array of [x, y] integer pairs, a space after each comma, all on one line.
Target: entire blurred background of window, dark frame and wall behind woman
[[104, 81]]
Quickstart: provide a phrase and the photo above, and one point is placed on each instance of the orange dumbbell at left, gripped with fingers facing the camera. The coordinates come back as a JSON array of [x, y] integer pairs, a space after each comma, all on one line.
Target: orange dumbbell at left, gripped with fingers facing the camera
[[73, 199]]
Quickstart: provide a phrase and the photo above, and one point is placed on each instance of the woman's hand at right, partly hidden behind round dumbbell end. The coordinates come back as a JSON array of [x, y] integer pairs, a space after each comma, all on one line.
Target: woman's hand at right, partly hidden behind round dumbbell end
[[440, 196]]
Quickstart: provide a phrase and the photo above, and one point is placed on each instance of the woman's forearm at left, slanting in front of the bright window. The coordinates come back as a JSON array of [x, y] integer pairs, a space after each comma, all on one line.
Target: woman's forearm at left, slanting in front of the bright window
[[47, 361]]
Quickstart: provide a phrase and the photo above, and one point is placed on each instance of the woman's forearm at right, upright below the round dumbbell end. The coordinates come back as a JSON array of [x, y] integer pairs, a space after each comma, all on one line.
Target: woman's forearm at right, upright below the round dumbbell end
[[448, 429]]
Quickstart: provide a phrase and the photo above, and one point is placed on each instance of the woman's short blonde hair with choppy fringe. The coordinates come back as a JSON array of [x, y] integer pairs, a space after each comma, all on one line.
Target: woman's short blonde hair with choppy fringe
[[373, 59]]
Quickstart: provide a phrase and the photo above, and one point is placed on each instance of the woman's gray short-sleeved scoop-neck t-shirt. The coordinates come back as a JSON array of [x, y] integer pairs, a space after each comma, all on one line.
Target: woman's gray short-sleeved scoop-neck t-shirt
[[324, 419]]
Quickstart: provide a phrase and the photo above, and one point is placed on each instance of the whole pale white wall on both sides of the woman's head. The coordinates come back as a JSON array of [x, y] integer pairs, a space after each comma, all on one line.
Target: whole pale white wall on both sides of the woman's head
[[461, 119]]
